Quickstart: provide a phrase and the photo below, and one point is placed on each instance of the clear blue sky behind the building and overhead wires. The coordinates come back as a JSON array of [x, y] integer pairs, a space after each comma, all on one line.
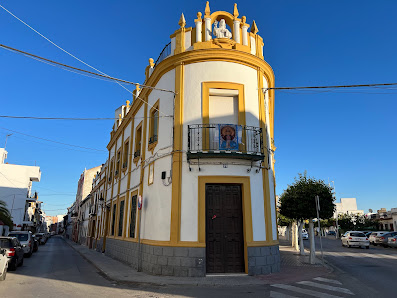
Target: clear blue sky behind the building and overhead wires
[[348, 136]]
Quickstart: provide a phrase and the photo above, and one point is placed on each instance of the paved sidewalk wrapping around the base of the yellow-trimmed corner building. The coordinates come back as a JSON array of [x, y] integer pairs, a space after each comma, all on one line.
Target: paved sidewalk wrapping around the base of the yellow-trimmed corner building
[[293, 268]]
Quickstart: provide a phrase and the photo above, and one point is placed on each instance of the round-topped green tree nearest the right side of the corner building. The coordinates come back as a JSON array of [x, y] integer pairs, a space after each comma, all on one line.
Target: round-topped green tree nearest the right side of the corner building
[[297, 202]]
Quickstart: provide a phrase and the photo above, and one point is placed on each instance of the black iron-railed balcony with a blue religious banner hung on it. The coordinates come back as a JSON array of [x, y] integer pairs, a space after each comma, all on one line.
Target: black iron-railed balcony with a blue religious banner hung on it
[[225, 141]]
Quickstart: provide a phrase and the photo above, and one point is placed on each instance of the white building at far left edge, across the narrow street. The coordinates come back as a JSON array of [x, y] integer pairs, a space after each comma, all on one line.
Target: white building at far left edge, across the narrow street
[[16, 190]]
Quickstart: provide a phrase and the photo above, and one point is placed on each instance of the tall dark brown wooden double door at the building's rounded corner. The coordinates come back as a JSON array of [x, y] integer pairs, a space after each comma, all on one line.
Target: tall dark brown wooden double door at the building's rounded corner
[[224, 228]]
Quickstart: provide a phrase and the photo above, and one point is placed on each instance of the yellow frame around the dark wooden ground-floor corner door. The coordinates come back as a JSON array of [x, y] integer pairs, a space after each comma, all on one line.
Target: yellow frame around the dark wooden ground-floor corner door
[[246, 207]]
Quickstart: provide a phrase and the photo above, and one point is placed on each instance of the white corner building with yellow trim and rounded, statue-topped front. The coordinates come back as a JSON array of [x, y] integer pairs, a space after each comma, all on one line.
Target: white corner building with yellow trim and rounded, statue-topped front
[[190, 182]]
